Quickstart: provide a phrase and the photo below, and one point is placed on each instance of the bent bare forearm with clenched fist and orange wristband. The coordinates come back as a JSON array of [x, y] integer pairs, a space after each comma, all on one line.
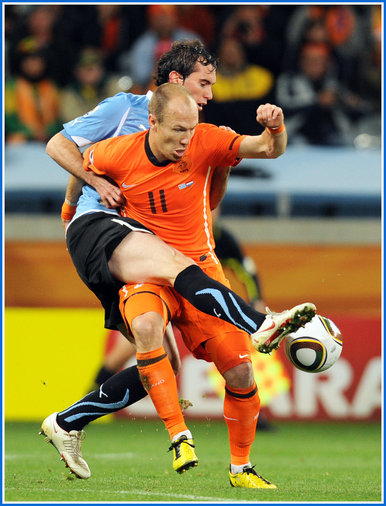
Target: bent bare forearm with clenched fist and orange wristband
[[273, 141]]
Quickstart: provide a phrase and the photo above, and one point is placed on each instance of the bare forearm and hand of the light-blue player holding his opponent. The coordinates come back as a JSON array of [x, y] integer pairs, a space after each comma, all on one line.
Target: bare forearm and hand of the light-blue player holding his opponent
[[66, 153]]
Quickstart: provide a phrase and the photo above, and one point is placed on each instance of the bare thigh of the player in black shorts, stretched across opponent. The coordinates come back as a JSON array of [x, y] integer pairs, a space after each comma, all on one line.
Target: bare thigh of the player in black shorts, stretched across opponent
[[142, 257]]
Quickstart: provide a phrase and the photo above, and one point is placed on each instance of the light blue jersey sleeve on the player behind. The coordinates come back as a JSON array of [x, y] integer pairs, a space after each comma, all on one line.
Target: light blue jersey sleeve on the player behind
[[101, 122]]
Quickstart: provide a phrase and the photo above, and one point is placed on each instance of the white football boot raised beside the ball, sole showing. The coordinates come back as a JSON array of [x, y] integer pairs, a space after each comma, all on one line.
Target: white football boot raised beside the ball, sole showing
[[277, 325]]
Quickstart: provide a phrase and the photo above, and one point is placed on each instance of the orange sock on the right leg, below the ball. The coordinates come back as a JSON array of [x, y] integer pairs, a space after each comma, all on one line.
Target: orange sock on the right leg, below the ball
[[241, 409]]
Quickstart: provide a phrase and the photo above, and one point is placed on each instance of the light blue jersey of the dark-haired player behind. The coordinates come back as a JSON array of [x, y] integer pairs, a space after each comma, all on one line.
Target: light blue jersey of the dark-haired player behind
[[121, 114]]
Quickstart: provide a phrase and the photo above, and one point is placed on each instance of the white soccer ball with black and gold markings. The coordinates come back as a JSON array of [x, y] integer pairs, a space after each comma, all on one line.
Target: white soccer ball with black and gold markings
[[316, 346]]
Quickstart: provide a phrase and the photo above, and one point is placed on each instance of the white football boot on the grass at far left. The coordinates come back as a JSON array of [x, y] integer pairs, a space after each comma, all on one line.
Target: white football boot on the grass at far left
[[68, 445]]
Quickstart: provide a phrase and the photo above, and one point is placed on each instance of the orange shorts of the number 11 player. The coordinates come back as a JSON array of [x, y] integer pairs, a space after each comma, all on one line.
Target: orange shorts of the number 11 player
[[207, 337]]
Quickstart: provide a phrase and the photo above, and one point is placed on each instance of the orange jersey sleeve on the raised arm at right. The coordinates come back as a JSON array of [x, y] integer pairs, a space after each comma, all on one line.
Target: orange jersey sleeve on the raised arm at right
[[221, 145]]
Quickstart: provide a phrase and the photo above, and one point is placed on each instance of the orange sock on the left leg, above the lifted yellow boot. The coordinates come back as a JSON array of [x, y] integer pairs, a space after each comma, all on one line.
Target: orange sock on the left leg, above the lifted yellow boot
[[158, 380]]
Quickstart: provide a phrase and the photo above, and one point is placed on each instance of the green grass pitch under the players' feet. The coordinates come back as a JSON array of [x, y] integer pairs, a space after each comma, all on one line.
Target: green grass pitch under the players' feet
[[129, 462]]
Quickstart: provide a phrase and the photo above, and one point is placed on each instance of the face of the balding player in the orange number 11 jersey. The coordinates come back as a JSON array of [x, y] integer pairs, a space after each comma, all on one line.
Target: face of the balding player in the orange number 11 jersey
[[172, 136]]
